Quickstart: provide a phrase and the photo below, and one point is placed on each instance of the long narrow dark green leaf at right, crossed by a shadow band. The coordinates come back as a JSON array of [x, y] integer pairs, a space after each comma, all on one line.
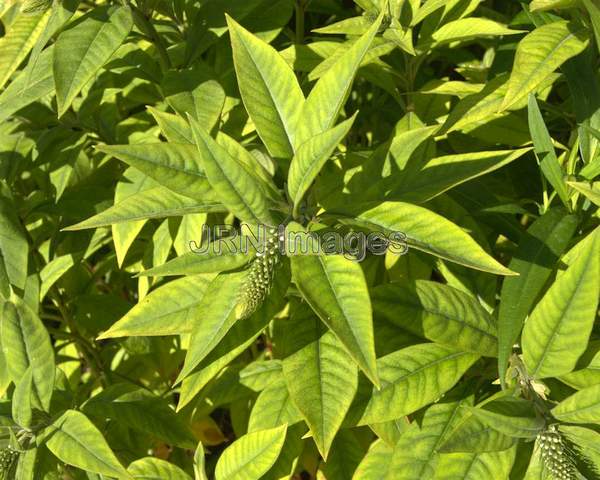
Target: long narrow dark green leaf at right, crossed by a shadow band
[[535, 258]]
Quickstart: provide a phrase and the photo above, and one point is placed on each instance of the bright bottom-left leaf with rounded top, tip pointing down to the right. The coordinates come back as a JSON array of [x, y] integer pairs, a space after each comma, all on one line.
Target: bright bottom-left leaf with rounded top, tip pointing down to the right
[[76, 441]]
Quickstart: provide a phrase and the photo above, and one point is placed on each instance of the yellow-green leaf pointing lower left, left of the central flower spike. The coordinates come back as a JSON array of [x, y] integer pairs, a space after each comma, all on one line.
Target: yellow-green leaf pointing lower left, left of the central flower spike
[[168, 310]]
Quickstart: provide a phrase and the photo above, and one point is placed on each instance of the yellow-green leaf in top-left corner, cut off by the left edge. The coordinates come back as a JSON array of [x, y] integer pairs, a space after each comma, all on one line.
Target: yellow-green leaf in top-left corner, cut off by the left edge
[[18, 41]]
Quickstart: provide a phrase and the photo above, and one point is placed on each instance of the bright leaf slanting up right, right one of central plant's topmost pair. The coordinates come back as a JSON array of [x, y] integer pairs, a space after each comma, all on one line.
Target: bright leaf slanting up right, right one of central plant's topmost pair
[[327, 97]]
